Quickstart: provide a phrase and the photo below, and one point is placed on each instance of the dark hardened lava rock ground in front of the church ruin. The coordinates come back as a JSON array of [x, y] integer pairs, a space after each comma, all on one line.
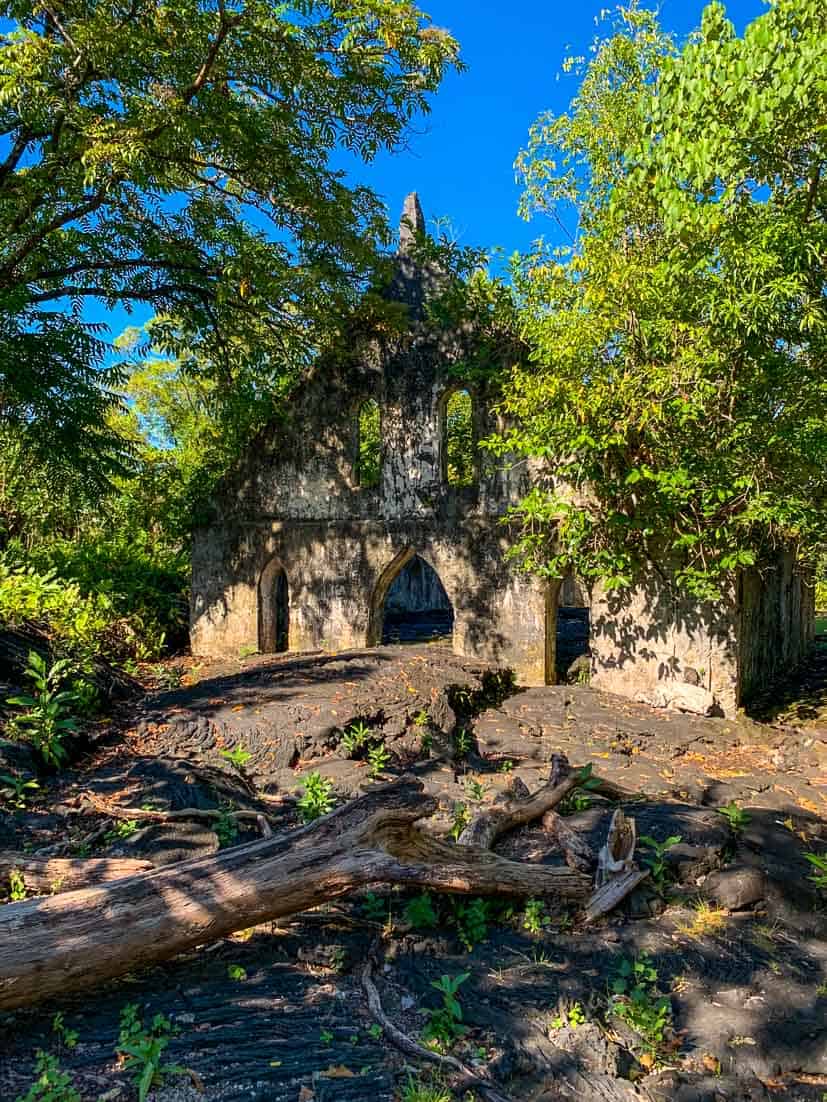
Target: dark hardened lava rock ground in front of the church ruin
[[729, 933]]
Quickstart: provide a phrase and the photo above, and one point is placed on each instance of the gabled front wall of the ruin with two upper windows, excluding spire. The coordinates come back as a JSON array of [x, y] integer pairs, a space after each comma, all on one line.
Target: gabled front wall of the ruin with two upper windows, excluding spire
[[297, 499]]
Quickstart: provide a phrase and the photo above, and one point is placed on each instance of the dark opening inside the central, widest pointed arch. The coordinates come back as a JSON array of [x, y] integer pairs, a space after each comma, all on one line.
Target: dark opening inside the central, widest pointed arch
[[417, 608]]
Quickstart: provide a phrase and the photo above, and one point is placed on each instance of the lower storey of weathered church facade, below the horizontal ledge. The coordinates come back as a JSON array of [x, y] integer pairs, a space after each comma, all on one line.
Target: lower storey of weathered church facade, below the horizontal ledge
[[339, 576]]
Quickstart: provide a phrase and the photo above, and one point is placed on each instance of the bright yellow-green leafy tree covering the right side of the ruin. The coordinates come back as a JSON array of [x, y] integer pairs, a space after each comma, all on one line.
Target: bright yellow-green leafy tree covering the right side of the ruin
[[676, 395]]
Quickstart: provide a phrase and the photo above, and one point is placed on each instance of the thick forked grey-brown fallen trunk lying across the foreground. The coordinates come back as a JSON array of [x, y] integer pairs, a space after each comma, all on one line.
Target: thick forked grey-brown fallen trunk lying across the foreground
[[62, 944]]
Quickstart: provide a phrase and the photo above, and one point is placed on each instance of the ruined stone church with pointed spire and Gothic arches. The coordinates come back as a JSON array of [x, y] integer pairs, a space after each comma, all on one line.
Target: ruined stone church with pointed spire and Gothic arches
[[305, 552]]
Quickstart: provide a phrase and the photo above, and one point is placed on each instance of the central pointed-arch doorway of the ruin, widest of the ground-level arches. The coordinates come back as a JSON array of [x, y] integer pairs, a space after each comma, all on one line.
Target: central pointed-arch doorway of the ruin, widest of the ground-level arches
[[410, 603]]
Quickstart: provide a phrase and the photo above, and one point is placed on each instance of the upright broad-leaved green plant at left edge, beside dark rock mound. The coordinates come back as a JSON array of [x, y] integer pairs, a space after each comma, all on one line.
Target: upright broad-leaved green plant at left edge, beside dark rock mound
[[47, 720]]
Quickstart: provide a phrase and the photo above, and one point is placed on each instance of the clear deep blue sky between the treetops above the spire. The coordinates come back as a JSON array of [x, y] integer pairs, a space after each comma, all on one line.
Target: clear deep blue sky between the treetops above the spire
[[460, 158]]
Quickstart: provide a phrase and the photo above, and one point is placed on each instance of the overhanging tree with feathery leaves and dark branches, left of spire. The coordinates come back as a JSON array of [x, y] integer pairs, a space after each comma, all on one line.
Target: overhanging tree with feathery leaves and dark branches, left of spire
[[179, 156]]
